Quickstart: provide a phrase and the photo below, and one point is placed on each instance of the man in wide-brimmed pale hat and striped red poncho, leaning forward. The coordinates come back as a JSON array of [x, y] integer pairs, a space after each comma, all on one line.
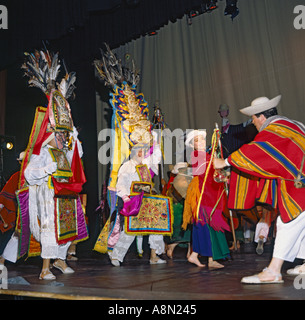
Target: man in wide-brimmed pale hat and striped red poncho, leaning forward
[[275, 160]]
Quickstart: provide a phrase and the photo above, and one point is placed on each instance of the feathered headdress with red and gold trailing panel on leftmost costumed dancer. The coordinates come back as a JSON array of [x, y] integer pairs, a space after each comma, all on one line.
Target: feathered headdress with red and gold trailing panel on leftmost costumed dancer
[[43, 69]]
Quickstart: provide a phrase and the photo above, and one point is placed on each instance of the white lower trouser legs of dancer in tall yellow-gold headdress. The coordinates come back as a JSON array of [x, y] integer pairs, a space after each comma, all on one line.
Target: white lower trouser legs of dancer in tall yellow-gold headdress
[[120, 249]]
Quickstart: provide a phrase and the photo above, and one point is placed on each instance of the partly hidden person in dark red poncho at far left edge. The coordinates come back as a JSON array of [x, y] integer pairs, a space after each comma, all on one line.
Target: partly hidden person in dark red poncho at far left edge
[[8, 210]]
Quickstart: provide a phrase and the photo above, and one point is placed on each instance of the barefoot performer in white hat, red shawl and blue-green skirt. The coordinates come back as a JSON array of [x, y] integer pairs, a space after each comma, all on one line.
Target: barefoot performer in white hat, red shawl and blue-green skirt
[[208, 238]]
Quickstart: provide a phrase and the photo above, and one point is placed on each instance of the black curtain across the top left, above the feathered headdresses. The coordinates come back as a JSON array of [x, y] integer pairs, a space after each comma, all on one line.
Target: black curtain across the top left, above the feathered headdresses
[[79, 27]]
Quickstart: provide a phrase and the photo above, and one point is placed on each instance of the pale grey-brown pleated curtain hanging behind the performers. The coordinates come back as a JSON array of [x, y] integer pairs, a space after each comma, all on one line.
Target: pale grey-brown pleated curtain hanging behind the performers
[[193, 69]]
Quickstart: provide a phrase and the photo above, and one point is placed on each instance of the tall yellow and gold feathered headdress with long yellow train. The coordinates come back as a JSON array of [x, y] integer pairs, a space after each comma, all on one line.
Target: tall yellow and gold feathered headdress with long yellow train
[[130, 120]]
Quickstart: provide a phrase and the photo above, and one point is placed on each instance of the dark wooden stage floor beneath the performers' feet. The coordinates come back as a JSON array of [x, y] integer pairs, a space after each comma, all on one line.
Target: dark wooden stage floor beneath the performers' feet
[[96, 279]]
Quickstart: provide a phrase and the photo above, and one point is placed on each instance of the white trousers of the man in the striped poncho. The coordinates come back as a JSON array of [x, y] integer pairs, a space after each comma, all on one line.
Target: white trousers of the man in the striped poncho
[[290, 239]]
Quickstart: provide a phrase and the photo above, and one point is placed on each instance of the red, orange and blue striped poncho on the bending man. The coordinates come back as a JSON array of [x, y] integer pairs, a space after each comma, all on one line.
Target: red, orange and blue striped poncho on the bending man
[[273, 161]]
